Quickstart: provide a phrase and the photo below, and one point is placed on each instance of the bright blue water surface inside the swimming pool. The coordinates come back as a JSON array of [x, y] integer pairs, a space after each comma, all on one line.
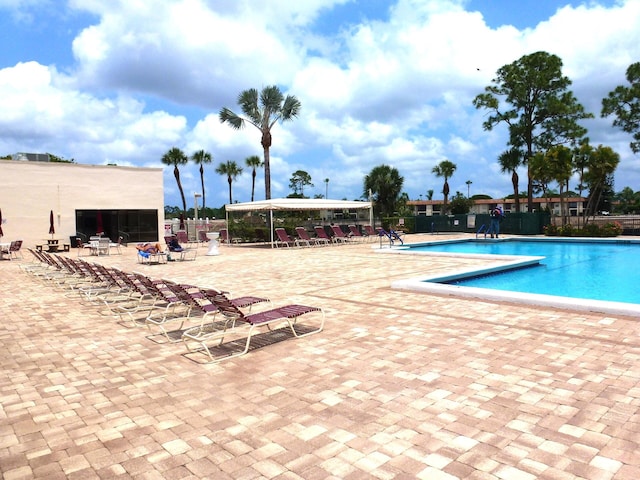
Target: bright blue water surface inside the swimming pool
[[591, 270]]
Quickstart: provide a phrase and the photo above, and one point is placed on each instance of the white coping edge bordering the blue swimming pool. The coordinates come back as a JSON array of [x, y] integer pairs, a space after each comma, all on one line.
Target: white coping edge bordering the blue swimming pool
[[427, 284]]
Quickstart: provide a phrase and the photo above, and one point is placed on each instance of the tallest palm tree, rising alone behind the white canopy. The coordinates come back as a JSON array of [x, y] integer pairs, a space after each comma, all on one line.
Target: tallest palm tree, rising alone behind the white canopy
[[263, 113]]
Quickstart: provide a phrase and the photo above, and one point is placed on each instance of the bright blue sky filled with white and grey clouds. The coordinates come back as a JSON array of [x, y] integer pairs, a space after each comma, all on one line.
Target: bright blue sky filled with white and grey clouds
[[380, 82]]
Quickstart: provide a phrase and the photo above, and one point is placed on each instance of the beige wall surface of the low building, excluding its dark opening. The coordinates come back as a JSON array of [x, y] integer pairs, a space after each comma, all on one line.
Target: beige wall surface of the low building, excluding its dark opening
[[29, 191]]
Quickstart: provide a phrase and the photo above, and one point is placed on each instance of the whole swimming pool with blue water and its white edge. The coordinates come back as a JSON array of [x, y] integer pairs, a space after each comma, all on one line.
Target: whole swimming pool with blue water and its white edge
[[599, 275]]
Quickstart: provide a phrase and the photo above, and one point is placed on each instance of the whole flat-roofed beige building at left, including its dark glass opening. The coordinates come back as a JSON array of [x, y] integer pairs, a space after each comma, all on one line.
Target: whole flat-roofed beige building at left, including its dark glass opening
[[123, 202]]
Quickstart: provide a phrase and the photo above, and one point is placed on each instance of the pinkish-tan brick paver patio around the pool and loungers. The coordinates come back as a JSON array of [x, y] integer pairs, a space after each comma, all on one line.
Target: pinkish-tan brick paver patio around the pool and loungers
[[398, 385]]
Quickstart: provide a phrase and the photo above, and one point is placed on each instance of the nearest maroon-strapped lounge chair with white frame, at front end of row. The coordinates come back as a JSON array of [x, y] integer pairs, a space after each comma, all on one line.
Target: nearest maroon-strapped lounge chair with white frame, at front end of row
[[236, 322]]
